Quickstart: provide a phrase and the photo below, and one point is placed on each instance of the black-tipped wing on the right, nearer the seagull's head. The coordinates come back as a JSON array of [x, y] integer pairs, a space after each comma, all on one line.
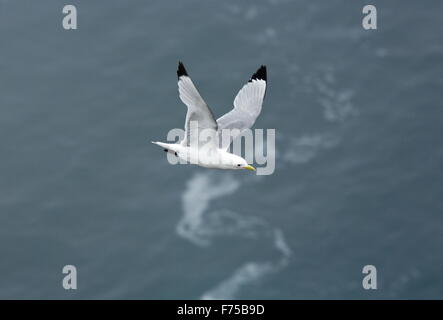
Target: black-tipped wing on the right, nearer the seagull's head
[[247, 107]]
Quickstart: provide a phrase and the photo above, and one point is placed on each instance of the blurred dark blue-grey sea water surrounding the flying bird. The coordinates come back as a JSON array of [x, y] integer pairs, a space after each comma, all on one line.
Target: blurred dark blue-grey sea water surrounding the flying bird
[[358, 178]]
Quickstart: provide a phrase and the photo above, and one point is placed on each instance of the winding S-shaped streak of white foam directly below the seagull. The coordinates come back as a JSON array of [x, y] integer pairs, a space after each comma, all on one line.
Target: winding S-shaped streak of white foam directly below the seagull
[[200, 226]]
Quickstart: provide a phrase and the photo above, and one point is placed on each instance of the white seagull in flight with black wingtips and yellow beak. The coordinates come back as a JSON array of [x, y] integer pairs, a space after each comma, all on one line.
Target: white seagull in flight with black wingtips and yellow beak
[[212, 151]]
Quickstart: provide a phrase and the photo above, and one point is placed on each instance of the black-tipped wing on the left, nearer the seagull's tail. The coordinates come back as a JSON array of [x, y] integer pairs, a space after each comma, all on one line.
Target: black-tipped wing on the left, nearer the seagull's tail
[[199, 117]]
